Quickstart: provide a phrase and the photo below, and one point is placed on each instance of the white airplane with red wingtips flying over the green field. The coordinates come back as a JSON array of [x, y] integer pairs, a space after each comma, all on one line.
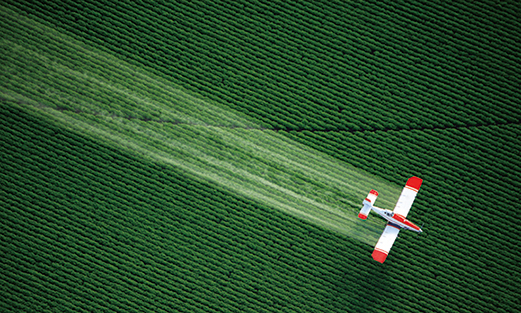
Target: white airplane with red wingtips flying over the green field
[[396, 219]]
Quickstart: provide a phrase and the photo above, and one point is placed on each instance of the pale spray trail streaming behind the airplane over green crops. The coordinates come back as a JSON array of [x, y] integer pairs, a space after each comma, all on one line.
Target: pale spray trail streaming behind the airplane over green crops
[[329, 196]]
